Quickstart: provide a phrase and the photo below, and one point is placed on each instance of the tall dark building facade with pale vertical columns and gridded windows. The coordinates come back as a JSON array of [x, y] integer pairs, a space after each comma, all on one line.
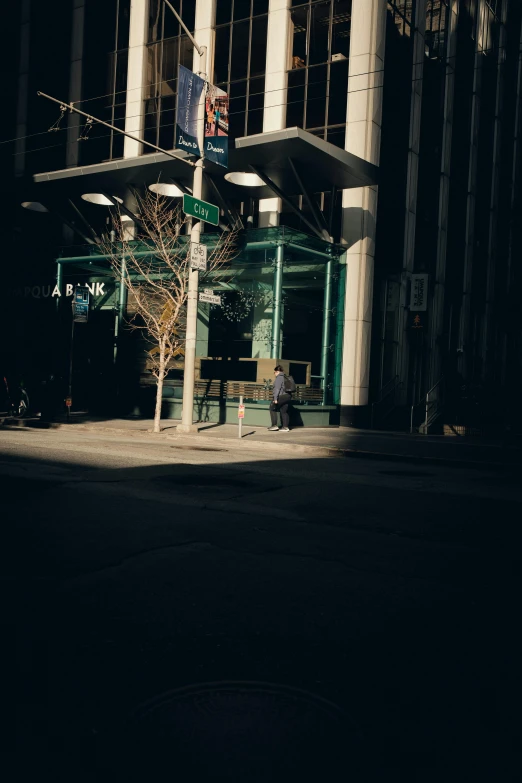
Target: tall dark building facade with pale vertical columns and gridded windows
[[418, 298]]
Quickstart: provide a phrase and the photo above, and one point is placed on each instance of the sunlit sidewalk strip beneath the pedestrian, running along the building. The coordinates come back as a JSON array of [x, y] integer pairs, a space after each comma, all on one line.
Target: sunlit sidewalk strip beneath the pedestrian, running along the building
[[343, 441]]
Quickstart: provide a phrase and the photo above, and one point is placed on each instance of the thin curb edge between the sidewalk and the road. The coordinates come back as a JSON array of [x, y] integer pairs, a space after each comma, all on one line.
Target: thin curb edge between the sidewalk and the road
[[328, 451]]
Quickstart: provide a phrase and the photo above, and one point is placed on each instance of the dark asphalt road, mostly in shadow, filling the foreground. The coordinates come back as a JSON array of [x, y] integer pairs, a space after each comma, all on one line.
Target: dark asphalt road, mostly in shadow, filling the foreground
[[289, 615]]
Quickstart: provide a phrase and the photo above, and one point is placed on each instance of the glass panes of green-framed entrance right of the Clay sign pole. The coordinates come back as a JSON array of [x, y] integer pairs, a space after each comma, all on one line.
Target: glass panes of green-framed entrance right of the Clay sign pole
[[241, 331]]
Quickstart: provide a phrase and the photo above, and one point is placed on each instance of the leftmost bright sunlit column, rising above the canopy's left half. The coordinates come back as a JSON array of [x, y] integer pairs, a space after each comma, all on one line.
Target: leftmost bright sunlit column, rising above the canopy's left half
[[136, 77]]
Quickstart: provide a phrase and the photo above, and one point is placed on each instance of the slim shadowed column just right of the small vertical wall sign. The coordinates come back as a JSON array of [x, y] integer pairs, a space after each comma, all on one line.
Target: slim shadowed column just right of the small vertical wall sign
[[439, 282]]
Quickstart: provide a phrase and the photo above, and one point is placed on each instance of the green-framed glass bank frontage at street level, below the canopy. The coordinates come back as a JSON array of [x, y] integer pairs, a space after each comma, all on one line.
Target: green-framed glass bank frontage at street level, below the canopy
[[281, 301]]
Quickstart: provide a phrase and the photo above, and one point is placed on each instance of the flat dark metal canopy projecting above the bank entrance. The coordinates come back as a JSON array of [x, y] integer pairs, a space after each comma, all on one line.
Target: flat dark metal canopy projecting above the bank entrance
[[322, 166]]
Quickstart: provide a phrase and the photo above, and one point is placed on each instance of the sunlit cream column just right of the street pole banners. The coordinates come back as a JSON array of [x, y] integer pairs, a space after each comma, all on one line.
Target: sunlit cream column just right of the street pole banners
[[278, 58]]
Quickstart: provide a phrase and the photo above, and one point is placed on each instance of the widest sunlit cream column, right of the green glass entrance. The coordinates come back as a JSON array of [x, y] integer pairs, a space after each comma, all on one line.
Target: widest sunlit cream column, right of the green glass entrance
[[363, 138]]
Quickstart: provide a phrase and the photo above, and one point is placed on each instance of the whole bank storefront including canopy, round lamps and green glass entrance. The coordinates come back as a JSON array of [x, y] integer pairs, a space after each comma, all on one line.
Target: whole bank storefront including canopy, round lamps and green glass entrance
[[282, 296]]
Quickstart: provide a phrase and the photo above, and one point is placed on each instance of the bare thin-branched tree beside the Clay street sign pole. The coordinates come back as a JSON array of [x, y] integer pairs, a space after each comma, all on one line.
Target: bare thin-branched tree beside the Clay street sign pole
[[154, 264]]
